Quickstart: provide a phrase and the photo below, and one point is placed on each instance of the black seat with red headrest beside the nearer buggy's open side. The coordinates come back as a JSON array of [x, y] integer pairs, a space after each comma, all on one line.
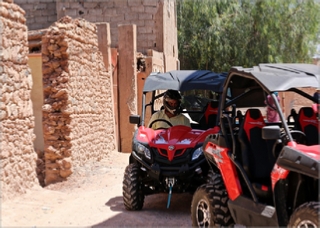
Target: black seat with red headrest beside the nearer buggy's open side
[[257, 157]]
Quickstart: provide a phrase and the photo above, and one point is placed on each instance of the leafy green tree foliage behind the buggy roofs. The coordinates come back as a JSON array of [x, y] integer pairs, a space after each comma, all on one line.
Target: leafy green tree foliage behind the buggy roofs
[[218, 34]]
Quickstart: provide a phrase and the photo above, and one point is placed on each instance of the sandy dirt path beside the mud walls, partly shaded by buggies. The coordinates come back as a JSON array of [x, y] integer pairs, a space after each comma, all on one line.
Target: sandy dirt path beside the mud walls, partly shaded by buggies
[[92, 197]]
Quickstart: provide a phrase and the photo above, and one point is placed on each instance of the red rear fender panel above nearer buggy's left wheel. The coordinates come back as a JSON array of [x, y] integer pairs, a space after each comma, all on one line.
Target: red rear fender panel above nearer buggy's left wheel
[[227, 168]]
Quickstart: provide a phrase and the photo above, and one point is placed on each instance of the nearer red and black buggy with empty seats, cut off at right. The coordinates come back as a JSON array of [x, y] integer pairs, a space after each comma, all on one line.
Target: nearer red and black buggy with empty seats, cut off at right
[[262, 174]]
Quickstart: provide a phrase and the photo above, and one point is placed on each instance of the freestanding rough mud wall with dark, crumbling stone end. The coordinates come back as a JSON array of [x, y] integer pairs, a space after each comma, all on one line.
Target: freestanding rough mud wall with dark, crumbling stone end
[[77, 111]]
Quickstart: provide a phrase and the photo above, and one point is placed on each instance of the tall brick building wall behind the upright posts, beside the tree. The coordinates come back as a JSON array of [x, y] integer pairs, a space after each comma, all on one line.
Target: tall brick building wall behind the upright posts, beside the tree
[[155, 20]]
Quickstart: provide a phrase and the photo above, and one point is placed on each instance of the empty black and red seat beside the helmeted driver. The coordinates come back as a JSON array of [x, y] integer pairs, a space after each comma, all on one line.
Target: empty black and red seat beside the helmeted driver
[[209, 118]]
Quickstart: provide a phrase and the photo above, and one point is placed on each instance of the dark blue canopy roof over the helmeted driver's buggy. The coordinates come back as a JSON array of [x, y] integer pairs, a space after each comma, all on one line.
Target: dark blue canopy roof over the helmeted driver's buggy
[[183, 80]]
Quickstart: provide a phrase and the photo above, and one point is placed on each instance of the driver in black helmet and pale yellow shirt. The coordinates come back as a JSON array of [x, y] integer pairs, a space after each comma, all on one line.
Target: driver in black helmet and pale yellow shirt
[[171, 111]]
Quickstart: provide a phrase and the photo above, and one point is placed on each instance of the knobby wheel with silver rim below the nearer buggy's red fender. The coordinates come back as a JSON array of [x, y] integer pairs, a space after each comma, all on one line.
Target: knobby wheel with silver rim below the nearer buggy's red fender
[[209, 204]]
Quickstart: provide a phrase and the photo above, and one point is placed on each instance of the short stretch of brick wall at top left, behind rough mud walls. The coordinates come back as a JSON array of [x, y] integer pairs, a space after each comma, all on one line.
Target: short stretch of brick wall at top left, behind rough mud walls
[[39, 13]]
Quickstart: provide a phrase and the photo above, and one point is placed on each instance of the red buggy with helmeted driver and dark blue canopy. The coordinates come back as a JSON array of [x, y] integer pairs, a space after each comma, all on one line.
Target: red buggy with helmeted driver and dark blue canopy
[[171, 160]]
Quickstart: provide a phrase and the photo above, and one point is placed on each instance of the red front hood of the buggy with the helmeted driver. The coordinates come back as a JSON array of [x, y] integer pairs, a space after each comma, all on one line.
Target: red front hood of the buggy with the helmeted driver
[[174, 140]]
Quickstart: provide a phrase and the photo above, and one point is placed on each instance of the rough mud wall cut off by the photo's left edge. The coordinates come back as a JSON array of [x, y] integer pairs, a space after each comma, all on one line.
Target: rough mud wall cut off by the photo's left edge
[[17, 157]]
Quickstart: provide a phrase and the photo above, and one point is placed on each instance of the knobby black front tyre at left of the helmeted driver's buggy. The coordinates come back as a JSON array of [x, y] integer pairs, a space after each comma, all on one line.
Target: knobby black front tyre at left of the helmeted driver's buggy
[[133, 196]]
